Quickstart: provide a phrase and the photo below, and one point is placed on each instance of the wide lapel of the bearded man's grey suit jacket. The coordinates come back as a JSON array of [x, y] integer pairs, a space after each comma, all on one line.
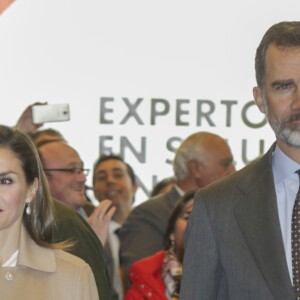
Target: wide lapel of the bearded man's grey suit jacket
[[257, 216]]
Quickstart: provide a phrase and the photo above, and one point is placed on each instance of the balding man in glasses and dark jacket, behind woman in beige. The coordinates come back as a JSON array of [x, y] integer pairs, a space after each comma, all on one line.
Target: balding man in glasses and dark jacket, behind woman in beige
[[66, 178]]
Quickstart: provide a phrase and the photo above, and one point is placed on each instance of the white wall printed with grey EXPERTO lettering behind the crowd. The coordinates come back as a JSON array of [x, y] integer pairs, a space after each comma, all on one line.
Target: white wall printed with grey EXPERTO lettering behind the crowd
[[180, 51]]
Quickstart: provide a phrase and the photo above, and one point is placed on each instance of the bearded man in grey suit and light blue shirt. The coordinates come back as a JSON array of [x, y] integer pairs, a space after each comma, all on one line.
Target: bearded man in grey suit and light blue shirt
[[238, 240]]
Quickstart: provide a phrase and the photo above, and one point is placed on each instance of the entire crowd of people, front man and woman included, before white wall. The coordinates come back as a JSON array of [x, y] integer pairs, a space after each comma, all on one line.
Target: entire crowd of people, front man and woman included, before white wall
[[56, 244]]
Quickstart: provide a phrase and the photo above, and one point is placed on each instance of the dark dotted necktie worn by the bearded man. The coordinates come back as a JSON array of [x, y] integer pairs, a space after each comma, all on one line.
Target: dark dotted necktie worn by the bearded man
[[296, 244]]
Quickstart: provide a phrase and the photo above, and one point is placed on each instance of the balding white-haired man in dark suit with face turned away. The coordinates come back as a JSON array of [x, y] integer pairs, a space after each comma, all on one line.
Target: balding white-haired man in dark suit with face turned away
[[201, 158]]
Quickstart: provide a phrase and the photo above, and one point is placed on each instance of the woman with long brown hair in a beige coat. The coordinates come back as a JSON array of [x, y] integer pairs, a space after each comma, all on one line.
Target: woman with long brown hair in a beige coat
[[31, 268]]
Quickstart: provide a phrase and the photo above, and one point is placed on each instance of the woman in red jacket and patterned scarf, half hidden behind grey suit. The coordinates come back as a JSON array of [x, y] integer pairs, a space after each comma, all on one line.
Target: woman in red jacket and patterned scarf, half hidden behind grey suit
[[158, 276]]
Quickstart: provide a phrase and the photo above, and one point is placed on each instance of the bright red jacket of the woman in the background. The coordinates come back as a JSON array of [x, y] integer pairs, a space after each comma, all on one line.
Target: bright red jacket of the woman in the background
[[146, 278]]
